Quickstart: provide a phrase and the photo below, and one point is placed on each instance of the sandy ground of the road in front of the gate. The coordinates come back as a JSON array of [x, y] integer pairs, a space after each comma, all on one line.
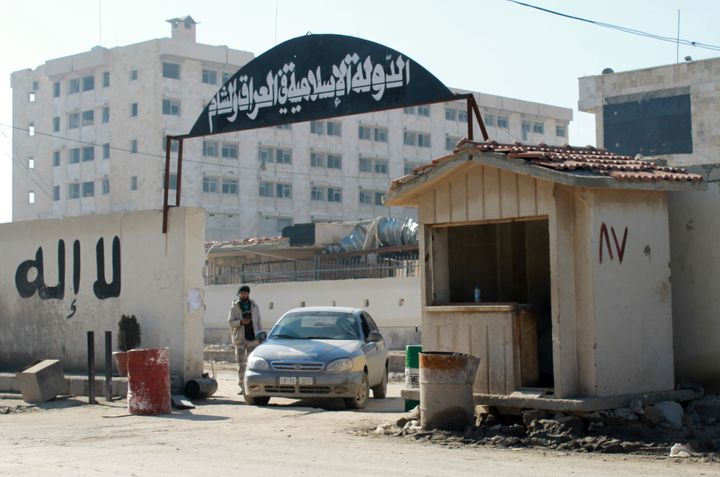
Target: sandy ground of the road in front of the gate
[[67, 437]]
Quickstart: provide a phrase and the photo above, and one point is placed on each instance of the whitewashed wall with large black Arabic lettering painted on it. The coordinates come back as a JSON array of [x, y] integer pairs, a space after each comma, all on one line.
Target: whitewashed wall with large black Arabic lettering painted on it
[[160, 282]]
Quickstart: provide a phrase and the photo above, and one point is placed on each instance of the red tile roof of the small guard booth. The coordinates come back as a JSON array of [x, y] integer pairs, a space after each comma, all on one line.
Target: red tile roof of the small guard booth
[[567, 159]]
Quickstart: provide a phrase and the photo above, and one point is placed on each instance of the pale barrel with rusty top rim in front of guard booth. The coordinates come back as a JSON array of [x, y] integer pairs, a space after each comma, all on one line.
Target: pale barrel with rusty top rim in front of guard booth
[[446, 381]]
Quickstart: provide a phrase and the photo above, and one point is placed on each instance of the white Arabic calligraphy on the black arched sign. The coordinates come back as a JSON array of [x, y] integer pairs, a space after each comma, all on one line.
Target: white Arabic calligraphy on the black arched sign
[[281, 87]]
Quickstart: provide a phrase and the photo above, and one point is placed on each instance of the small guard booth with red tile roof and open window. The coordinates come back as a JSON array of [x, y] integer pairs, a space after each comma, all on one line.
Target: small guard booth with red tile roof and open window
[[569, 248]]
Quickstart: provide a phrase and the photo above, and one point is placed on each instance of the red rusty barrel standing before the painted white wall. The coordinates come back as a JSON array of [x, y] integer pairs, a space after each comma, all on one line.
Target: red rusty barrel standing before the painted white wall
[[149, 381]]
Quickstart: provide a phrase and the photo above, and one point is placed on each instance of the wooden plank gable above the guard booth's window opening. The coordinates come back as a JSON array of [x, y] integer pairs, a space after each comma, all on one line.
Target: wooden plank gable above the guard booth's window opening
[[485, 193]]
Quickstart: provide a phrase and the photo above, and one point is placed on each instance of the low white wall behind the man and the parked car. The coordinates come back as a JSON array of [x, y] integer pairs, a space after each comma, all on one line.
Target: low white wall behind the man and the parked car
[[394, 303]]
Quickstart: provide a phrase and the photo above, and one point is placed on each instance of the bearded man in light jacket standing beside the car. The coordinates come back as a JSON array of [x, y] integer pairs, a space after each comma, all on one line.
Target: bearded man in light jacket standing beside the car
[[245, 324]]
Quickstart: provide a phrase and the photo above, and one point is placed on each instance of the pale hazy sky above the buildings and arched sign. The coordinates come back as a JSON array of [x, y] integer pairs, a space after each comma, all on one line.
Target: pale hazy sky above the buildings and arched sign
[[492, 46]]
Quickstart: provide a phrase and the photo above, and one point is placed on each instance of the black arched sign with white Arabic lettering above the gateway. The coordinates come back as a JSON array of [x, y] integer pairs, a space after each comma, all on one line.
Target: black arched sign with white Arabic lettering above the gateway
[[316, 77]]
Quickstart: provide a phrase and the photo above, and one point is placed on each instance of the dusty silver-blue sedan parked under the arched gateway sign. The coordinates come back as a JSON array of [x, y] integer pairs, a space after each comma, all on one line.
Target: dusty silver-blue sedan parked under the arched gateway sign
[[319, 352]]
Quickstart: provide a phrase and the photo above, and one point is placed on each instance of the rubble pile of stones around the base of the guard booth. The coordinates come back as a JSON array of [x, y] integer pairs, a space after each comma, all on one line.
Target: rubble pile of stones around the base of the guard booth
[[664, 428]]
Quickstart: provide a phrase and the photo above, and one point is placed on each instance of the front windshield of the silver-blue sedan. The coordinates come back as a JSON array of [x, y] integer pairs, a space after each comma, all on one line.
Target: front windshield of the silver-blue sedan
[[316, 325]]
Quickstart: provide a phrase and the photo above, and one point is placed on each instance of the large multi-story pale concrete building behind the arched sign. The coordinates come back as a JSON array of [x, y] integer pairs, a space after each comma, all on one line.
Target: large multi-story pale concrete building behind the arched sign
[[90, 130]]
